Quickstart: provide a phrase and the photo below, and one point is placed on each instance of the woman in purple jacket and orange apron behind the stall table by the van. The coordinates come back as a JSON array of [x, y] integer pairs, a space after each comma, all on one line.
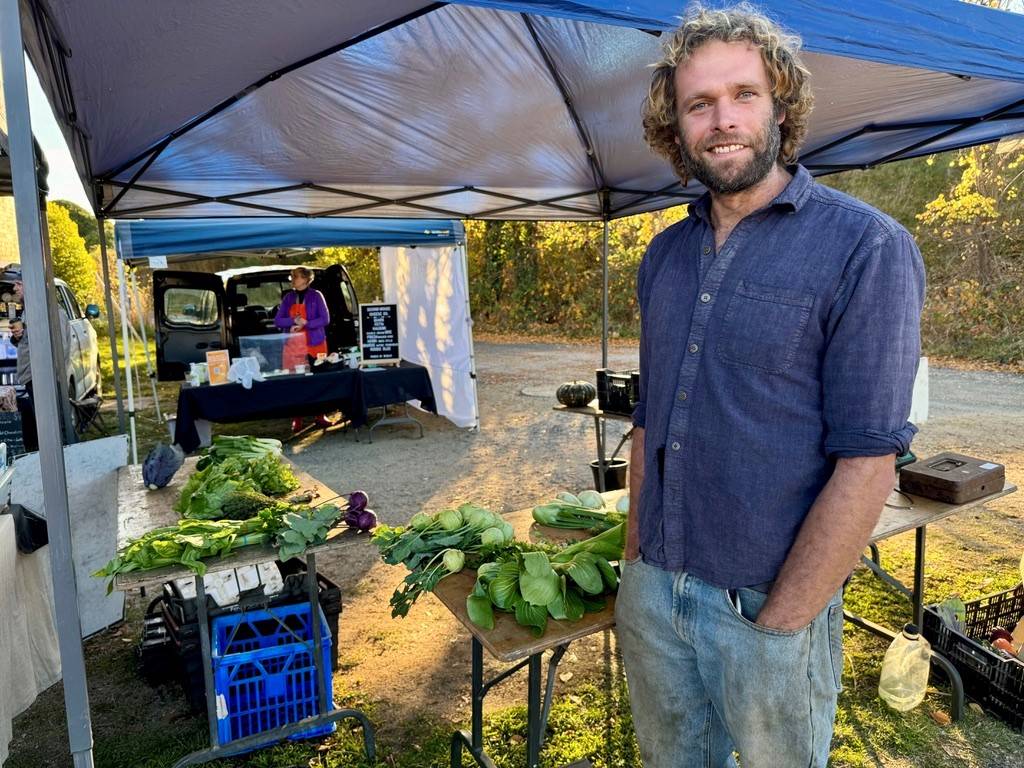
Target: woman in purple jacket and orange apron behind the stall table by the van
[[305, 315]]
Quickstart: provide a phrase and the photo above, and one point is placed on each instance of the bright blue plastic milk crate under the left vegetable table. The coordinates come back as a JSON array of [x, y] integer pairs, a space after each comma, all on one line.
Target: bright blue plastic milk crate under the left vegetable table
[[264, 673]]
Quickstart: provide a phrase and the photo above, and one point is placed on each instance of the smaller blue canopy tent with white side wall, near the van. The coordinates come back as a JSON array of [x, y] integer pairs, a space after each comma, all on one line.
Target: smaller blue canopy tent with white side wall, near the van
[[440, 249]]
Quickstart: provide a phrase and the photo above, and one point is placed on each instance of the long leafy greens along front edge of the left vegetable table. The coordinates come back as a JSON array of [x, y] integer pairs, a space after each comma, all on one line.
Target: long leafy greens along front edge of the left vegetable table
[[190, 541]]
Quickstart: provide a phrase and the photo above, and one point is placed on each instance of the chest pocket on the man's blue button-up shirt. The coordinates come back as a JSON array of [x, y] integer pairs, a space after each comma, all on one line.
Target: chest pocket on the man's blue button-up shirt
[[764, 326]]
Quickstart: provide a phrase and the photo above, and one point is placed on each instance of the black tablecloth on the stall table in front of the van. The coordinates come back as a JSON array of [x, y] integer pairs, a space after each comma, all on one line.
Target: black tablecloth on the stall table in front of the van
[[352, 392]]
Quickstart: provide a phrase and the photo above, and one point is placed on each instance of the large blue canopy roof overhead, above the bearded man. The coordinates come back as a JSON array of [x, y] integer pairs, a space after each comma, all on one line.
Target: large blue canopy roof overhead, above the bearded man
[[483, 109]]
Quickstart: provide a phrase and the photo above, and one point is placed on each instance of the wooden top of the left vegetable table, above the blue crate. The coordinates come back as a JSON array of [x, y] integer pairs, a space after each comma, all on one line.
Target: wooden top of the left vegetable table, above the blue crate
[[141, 510]]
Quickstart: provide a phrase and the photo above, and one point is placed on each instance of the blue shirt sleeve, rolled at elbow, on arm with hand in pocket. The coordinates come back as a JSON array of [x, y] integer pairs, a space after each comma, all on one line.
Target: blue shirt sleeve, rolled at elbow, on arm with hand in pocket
[[874, 350]]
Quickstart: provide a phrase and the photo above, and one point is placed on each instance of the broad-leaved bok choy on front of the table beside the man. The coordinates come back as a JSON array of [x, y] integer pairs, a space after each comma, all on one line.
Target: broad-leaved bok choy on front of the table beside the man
[[535, 585]]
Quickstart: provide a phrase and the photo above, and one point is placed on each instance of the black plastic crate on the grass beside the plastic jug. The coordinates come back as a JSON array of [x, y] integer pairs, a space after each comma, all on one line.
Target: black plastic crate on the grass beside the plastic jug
[[994, 681]]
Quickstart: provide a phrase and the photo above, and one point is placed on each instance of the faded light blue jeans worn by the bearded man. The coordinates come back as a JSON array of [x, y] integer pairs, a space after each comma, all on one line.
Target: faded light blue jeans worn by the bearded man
[[705, 680]]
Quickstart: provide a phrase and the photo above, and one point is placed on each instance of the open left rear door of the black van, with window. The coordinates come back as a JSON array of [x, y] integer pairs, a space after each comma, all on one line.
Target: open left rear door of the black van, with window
[[190, 317]]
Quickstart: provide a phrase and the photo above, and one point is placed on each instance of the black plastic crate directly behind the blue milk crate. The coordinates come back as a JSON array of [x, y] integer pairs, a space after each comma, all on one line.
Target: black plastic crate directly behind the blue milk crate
[[184, 635]]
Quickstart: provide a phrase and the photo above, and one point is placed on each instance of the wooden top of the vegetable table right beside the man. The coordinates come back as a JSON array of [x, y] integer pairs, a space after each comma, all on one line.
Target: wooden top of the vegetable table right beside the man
[[509, 642]]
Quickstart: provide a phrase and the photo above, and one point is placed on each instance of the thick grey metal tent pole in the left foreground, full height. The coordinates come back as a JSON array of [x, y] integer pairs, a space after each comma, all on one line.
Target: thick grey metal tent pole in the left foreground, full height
[[37, 273]]
